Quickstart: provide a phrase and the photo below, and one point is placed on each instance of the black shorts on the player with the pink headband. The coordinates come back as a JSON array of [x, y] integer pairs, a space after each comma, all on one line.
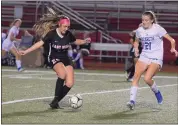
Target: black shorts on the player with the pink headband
[[53, 61]]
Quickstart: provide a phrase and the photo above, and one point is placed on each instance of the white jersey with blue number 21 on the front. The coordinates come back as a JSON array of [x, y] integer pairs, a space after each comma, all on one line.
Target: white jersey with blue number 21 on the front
[[152, 41]]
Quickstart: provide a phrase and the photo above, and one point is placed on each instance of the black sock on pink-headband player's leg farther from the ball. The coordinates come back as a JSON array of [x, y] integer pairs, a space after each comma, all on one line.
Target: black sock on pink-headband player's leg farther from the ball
[[59, 87]]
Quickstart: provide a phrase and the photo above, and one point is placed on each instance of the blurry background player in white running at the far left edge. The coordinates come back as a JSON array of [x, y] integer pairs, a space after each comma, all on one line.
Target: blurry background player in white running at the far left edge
[[8, 43]]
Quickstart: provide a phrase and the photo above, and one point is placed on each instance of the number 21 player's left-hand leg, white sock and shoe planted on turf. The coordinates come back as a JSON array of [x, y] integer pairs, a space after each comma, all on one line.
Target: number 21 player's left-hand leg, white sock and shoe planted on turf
[[140, 67]]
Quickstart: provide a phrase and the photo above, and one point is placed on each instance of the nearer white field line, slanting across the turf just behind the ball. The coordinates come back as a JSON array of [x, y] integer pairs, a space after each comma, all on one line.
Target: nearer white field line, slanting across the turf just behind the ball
[[90, 93]]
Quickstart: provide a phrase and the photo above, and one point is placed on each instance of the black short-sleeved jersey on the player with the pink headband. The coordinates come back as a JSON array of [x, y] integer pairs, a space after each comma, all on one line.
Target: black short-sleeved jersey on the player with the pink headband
[[56, 46]]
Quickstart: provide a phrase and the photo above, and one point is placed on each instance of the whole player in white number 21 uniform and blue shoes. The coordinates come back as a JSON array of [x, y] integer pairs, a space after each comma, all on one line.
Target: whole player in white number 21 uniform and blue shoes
[[151, 58]]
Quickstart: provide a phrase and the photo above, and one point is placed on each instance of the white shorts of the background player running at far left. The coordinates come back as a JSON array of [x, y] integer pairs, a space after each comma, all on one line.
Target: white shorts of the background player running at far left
[[7, 45]]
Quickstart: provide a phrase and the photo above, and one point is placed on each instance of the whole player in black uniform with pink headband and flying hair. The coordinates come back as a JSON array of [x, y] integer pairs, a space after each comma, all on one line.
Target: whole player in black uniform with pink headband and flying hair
[[56, 42]]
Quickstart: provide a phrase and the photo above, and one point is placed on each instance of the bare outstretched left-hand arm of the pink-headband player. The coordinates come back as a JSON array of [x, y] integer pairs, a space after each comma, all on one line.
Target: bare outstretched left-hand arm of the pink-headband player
[[32, 48]]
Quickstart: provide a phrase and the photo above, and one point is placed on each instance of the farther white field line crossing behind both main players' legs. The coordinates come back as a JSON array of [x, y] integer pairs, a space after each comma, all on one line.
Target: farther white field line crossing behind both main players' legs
[[90, 74]]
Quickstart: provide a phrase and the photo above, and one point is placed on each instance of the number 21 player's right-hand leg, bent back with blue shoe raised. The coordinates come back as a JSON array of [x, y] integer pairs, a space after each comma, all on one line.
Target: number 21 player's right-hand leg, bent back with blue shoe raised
[[151, 71]]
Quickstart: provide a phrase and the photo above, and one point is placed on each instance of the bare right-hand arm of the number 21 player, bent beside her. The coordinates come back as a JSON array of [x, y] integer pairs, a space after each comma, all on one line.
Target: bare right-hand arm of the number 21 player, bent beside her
[[173, 44]]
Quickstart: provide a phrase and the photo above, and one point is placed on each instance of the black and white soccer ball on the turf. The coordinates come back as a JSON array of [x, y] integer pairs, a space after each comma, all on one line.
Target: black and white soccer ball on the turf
[[76, 101]]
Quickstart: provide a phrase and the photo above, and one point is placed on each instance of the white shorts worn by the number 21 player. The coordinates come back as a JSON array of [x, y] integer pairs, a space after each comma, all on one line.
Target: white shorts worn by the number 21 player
[[151, 60]]
